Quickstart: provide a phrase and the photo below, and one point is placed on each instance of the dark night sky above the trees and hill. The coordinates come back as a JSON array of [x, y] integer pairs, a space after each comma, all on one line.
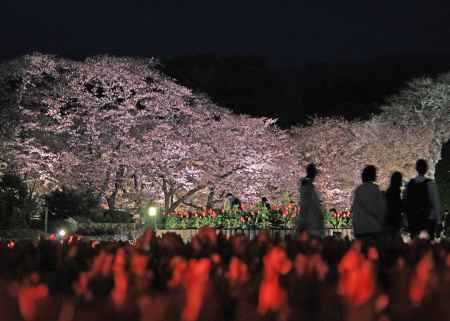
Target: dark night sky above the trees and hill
[[289, 30]]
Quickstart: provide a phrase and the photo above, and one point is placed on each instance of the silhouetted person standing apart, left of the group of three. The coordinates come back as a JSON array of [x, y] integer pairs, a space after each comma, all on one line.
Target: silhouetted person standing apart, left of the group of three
[[311, 216]]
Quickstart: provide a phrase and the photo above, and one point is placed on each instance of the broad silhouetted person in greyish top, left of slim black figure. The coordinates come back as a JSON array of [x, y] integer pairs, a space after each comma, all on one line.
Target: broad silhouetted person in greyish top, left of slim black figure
[[368, 206]]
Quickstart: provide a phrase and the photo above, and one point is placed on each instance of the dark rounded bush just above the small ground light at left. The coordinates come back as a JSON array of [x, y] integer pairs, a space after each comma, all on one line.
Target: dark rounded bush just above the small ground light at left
[[66, 202]]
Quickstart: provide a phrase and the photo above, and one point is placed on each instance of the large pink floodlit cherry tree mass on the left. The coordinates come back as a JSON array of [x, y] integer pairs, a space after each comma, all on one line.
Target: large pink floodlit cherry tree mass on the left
[[108, 121]]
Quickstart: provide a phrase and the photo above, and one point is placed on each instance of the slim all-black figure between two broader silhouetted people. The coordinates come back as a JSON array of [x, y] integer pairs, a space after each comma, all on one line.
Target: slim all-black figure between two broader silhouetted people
[[394, 204]]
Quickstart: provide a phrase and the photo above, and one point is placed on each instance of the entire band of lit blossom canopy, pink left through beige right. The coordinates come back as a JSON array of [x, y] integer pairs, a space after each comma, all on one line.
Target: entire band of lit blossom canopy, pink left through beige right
[[122, 128]]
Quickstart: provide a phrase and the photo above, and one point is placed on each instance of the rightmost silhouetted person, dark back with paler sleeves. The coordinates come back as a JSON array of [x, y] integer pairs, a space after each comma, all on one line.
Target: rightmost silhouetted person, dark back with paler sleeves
[[422, 203]]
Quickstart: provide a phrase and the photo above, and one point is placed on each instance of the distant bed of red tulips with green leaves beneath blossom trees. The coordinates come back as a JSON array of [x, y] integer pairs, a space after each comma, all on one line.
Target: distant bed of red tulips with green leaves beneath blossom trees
[[255, 217]]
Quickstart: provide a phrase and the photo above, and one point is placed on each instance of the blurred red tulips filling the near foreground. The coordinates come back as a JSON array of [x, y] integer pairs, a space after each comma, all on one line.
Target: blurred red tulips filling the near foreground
[[213, 278]]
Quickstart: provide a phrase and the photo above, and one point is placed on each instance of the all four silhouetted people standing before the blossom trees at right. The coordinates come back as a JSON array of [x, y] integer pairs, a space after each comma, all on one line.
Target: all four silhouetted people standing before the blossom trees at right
[[378, 214]]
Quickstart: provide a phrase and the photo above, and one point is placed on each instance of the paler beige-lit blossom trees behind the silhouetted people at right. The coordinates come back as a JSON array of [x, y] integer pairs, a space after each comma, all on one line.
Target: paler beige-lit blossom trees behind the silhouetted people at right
[[414, 124]]
